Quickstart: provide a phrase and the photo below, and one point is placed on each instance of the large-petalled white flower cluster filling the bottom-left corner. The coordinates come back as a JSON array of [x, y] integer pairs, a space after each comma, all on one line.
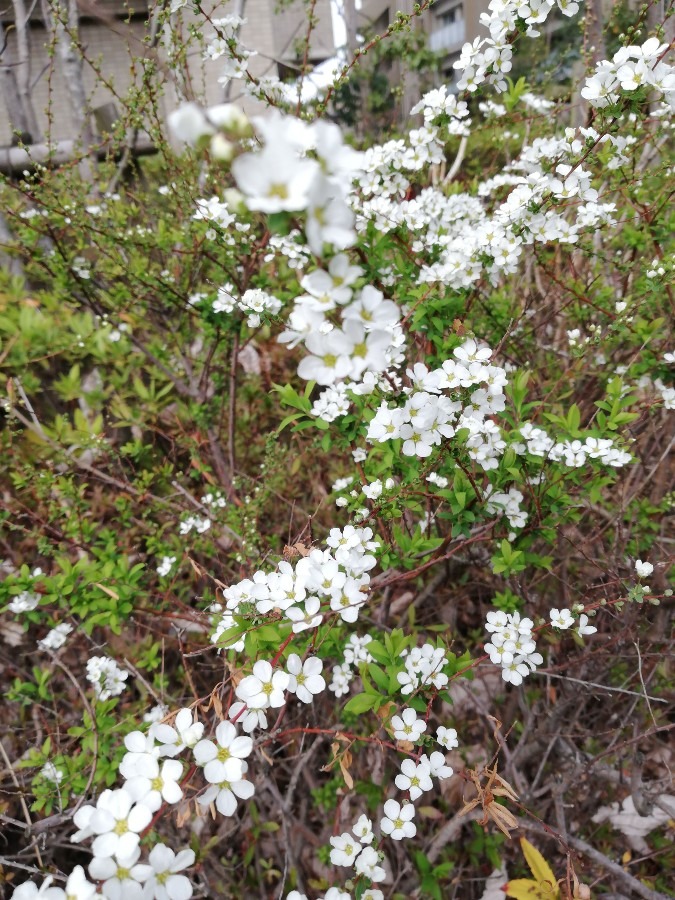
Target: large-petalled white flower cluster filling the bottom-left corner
[[119, 819]]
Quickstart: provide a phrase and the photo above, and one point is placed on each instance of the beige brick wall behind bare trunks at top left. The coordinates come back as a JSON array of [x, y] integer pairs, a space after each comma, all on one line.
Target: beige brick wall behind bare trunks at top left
[[116, 49]]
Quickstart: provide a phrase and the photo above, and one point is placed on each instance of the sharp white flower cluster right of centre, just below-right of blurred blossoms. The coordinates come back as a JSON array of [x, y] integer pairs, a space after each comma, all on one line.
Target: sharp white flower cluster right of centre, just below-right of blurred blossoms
[[427, 417]]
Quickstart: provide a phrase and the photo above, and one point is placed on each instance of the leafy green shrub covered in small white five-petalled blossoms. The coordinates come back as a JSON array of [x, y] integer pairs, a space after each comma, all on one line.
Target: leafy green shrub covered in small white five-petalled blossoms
[[338, 491]]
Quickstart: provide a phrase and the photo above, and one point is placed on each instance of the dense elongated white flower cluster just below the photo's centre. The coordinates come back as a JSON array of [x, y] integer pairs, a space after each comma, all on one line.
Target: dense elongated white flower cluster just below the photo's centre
[[335, 579]]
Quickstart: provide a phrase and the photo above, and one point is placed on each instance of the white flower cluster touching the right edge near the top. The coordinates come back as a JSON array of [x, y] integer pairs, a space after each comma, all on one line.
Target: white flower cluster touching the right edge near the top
[[630, 69]]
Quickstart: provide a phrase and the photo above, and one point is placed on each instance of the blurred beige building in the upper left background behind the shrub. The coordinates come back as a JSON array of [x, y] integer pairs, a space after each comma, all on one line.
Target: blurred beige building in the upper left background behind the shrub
[[35, 91]]
